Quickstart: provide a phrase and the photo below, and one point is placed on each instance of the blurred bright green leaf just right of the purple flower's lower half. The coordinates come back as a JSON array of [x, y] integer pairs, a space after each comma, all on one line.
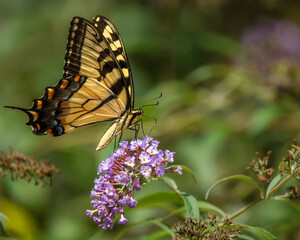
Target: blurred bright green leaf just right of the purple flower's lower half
[[158, 198]]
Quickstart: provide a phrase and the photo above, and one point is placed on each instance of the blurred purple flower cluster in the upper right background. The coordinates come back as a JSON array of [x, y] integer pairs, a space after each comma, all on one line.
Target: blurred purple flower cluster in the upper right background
[[269, 41]]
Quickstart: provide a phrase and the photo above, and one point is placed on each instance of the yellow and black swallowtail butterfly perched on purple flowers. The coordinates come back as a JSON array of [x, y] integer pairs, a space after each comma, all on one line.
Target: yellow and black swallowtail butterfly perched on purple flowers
[[97, 85]]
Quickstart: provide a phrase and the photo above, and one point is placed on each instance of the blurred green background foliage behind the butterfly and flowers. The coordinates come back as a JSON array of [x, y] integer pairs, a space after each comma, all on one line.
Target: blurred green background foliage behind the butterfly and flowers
[[229, 71]]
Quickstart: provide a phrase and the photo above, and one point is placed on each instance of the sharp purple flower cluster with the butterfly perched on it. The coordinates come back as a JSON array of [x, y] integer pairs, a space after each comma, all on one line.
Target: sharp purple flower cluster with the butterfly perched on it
[[134, 164]]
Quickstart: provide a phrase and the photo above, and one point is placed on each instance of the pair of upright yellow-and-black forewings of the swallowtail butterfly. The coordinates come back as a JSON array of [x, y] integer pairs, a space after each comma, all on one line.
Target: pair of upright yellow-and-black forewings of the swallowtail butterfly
[[91, 51]]
